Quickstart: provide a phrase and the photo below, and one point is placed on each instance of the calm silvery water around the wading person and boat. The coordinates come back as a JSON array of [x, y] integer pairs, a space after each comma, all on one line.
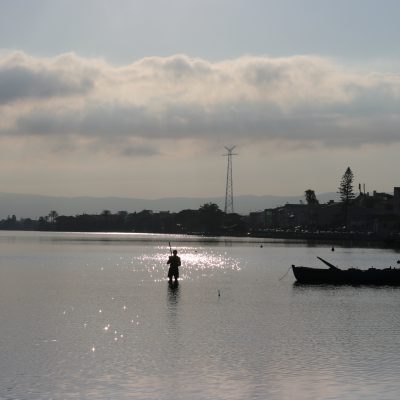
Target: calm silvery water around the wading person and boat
[[92, 317]]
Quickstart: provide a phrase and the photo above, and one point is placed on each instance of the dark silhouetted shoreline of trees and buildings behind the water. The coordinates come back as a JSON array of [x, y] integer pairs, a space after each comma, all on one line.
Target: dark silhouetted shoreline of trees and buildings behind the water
[[360, 216]]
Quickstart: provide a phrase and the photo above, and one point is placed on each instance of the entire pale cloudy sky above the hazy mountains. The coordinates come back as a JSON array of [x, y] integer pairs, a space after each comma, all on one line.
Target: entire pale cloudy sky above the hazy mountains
[[134, 98]]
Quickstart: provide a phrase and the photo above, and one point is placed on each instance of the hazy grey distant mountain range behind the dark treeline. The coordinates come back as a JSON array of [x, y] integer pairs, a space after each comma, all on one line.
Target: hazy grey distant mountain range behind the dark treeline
[[34, 206]]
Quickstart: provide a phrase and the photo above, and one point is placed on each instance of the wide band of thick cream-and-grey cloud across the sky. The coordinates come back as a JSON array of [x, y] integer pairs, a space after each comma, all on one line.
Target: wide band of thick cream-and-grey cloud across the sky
[[302, 99]]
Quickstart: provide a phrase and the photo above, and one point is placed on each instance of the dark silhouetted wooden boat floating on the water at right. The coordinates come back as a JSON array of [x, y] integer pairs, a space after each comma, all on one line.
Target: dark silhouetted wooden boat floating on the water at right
[[350, 276]]
